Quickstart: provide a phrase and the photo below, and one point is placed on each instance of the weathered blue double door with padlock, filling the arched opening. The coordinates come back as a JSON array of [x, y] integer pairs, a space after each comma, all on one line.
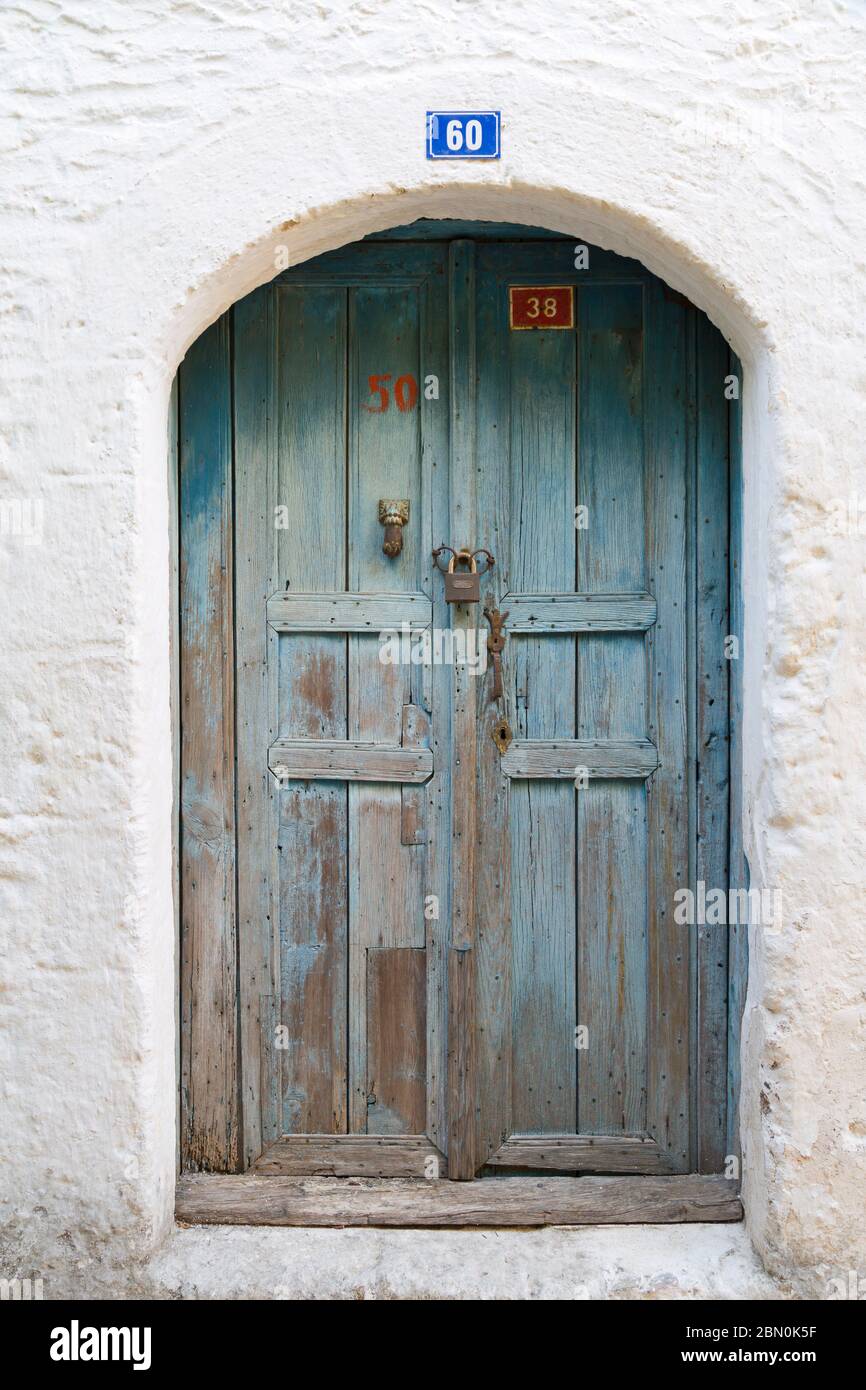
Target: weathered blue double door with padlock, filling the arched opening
[[427, 932]]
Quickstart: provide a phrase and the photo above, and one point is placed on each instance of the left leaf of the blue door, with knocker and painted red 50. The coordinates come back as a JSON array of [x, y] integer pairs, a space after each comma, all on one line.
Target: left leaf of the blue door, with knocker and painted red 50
[[344, 730]]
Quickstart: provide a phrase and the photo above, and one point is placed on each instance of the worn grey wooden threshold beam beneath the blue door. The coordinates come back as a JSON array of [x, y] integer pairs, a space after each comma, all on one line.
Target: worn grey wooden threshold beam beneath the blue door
[[248, 1200]]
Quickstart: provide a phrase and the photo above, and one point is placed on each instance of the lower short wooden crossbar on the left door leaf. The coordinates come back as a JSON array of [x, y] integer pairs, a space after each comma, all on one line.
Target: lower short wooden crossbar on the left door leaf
[[340, 760]]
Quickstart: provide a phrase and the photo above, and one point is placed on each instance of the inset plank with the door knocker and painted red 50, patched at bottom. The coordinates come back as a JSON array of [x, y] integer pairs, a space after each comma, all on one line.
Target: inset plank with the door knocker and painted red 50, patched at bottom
[[386, 878]]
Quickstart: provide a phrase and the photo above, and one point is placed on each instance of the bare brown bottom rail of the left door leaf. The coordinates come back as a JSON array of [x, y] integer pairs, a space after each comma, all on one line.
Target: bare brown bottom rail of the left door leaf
[[352, 1156]]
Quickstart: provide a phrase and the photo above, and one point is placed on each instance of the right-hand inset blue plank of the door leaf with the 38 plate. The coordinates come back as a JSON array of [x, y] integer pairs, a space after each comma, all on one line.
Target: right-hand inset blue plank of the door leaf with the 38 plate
[[612, 704]]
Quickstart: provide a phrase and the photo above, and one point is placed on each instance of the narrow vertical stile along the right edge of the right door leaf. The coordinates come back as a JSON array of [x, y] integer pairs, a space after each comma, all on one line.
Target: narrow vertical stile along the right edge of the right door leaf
[[669, 954]]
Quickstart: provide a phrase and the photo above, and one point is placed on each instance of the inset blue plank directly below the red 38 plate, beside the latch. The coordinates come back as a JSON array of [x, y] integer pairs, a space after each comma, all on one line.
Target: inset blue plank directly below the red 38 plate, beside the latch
[[543, 814]]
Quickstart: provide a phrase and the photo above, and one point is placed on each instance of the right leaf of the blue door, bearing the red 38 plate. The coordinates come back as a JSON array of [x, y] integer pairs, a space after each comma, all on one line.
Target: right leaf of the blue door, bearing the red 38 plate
[[593, 875]]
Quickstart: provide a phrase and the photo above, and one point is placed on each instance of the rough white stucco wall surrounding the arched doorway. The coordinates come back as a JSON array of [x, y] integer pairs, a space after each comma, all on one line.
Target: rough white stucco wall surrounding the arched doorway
[[156, 154]]
